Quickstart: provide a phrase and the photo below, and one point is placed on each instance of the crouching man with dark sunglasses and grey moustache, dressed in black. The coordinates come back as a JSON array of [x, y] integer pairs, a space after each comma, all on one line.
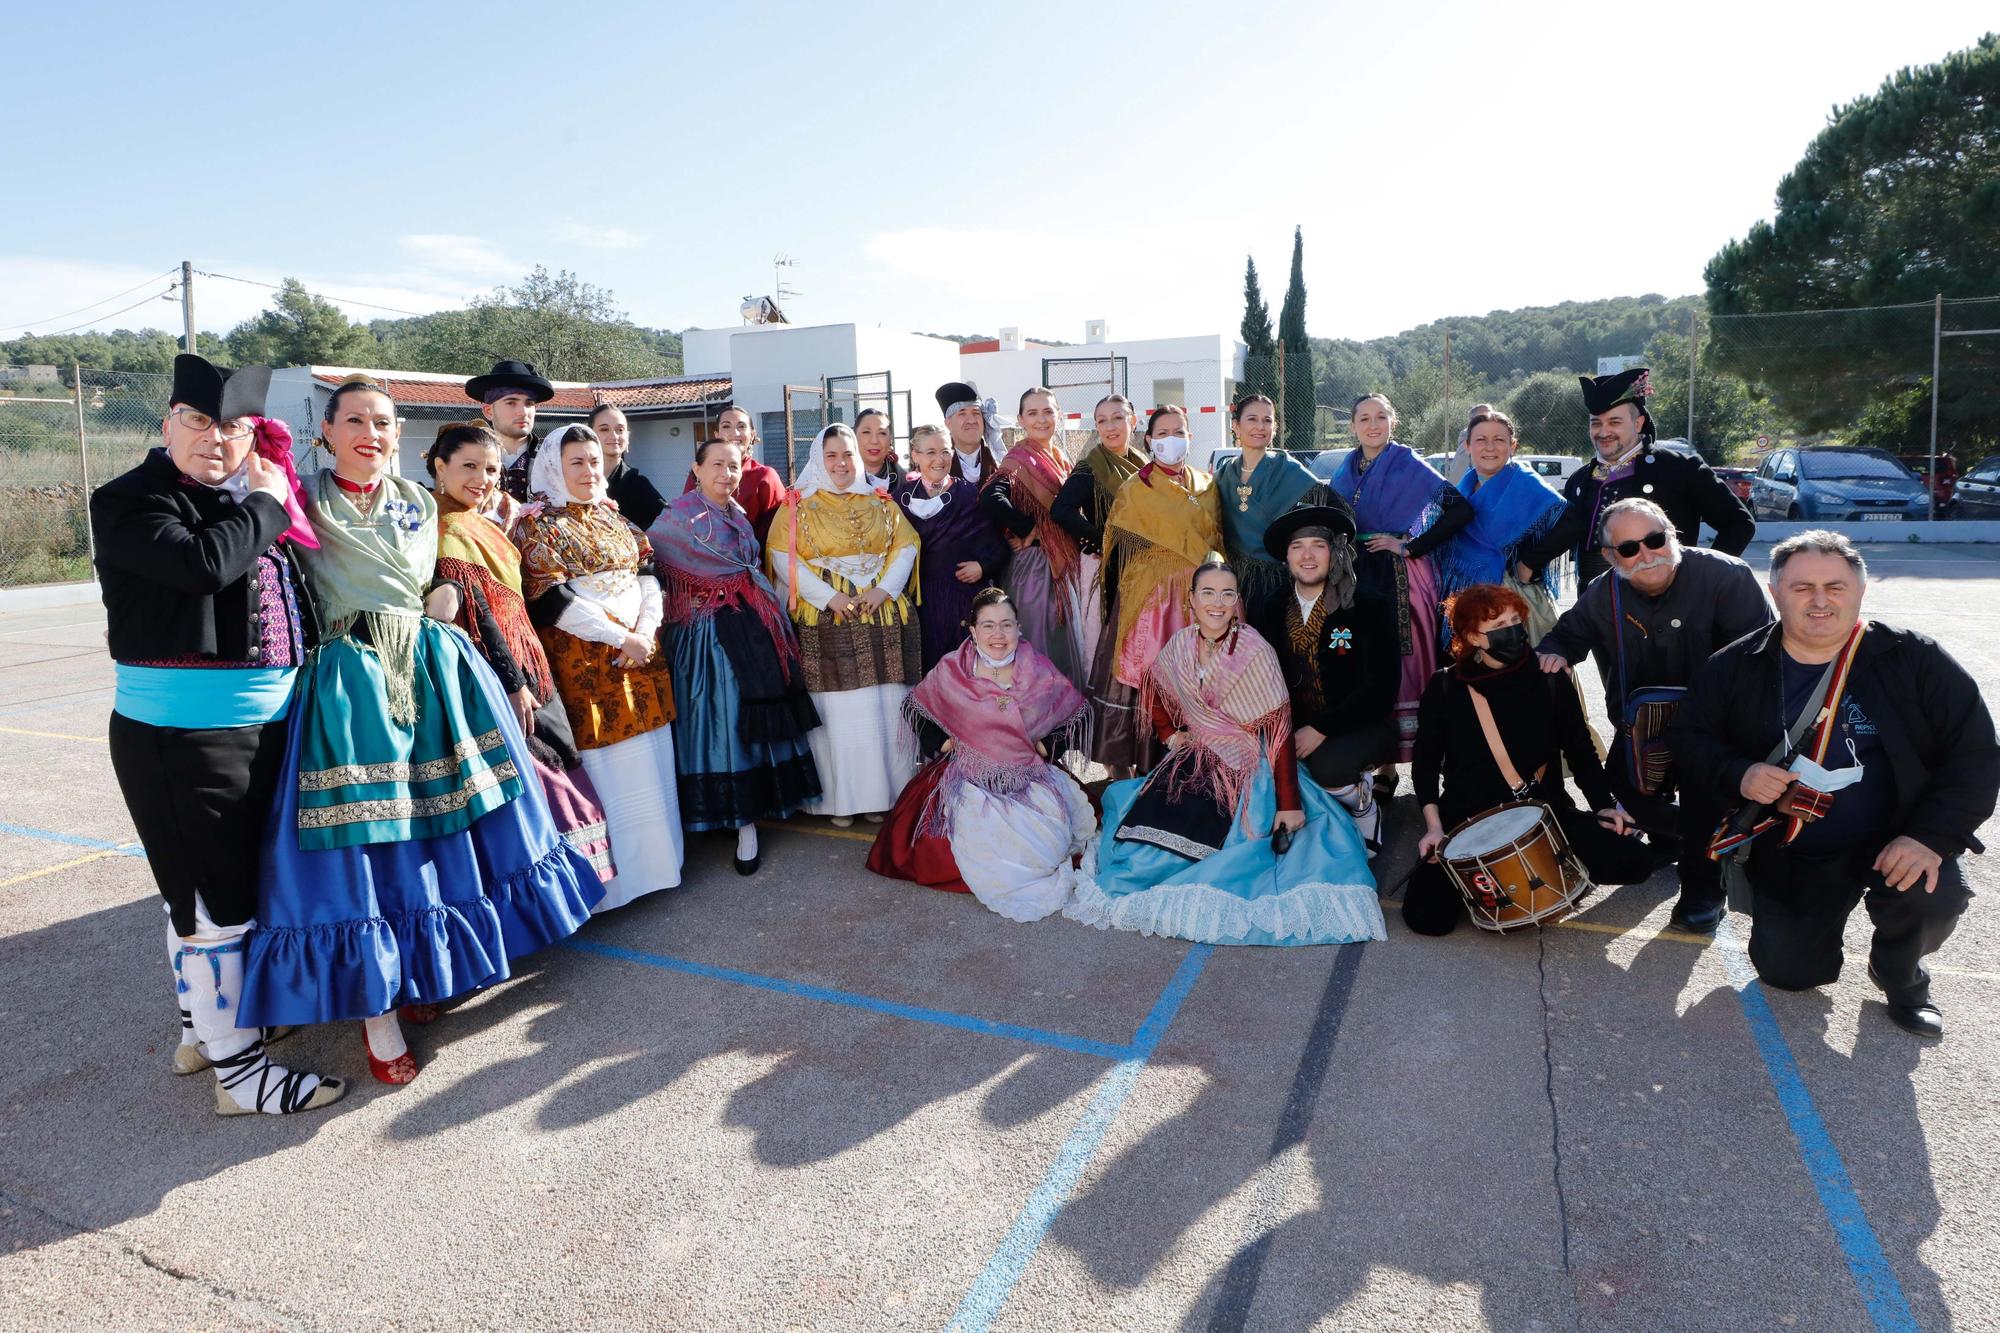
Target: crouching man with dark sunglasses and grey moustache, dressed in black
[[1661, 613]]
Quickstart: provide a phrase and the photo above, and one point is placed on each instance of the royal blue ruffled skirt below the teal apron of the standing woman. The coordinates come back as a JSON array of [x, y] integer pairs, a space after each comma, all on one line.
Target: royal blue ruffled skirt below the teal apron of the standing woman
[[355, 932]]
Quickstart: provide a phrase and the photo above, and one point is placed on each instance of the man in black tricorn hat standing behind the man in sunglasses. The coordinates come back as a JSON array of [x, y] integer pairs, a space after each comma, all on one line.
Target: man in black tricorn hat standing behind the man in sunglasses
[[1629, 465]]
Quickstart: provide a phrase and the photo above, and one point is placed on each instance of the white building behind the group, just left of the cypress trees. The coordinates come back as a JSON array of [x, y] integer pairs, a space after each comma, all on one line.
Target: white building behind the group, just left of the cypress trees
[[1197, 373]]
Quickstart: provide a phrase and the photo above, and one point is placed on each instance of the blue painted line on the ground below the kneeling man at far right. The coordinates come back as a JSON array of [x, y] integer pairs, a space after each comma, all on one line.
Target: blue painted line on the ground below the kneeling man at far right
[[1873, 1274]]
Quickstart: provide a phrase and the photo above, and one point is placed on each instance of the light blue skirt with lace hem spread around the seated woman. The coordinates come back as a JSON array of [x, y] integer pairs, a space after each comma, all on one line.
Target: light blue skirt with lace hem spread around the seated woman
[[1321, 892]]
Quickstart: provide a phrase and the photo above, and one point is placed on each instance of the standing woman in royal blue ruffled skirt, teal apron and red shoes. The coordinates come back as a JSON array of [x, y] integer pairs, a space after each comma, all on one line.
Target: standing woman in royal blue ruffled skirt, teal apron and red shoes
[[409, 854]]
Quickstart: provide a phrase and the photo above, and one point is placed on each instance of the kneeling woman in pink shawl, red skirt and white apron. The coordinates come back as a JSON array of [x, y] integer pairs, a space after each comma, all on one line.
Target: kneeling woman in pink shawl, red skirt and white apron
[[997, 710]]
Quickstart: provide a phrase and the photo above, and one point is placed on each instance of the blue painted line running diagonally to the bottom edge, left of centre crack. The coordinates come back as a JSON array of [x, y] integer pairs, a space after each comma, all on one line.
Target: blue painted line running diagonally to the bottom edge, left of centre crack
[[1031, 1226]]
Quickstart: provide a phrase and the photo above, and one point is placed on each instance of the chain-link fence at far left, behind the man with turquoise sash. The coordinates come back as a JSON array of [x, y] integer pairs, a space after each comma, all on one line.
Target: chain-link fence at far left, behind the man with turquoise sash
[[61, 435]]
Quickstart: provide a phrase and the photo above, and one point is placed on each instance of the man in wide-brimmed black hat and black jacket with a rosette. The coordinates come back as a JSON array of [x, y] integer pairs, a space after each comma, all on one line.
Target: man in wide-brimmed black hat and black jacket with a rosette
[[1339, 649]]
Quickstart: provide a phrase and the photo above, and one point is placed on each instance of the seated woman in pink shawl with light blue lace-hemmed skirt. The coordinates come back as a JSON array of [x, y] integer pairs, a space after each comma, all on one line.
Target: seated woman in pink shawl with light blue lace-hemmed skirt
[[1223, 844]]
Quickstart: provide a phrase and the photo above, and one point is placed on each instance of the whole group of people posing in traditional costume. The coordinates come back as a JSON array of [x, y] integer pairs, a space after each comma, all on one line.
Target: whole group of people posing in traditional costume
[[383, 740]]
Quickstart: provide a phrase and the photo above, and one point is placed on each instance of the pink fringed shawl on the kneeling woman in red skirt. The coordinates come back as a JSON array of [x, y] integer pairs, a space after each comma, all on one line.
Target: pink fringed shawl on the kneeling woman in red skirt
[[995, 730]]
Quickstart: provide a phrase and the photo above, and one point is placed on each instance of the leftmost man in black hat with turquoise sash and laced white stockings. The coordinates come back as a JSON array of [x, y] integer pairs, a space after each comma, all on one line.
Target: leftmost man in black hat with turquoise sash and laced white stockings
[[209, 623]]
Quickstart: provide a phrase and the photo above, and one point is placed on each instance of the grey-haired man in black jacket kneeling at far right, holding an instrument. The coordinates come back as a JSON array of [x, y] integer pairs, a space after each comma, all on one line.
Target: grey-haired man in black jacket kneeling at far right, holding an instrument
[[1861, 760]]
